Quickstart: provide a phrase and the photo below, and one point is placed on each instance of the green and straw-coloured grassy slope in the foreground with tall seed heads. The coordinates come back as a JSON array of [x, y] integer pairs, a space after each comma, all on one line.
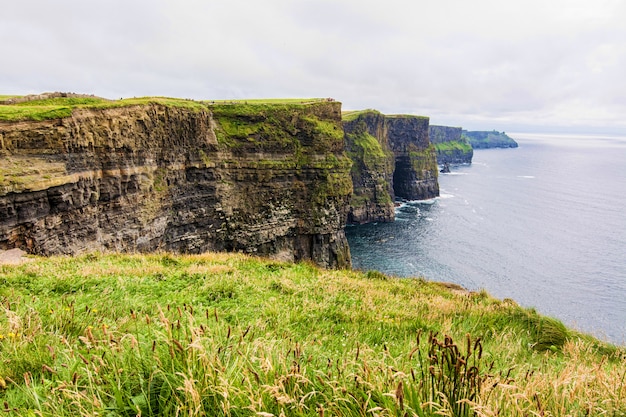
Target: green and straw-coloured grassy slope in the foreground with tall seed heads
[[219, 334]]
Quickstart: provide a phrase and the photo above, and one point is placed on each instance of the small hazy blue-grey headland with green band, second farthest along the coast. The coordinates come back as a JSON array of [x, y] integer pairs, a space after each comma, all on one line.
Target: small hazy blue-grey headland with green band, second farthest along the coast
[[452, 146]]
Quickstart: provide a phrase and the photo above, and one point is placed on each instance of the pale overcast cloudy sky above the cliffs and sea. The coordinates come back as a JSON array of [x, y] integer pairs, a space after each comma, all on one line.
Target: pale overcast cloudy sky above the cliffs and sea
[[514, 65]]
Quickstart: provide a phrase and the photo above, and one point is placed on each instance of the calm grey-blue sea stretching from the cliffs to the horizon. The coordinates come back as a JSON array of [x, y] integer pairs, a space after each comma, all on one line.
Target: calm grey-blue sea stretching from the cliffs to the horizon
[[543, 224]]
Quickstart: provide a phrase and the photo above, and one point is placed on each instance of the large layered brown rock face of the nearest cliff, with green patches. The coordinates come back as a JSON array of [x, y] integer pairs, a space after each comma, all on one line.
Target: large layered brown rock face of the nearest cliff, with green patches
[[264, 179]]
